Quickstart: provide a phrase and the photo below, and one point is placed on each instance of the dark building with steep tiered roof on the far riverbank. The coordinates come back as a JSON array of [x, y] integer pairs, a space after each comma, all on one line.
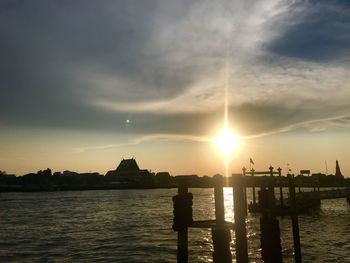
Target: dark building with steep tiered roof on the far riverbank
[[128, 171]]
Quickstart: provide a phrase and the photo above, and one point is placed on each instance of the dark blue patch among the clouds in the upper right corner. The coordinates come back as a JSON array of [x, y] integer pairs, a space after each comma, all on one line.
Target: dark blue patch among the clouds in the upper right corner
[[320, 32]]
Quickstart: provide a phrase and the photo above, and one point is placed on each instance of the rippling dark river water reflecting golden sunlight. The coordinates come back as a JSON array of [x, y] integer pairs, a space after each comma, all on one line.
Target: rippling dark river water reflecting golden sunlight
[[135, 226]]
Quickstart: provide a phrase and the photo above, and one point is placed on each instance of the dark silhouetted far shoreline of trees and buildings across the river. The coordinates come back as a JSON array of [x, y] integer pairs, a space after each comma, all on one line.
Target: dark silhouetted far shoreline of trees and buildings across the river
[[128, 175]]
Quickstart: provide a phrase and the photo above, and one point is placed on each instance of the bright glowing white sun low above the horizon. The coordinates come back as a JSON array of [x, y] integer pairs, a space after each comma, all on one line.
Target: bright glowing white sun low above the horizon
[[226, 142]]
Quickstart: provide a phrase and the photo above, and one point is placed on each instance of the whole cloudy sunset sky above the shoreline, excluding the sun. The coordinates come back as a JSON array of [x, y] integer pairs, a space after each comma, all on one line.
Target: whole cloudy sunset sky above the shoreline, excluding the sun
[[86, 83]]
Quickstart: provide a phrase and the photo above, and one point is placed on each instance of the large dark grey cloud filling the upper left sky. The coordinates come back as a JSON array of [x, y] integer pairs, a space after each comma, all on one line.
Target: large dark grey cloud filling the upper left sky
[[46, 44]]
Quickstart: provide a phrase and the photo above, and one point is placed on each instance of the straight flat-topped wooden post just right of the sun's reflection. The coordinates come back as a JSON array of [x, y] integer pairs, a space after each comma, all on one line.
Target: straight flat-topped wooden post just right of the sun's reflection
[[240, 215]]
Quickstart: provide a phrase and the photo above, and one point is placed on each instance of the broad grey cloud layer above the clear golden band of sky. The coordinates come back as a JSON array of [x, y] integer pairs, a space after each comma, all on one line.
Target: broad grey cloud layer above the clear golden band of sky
[[165, 64]]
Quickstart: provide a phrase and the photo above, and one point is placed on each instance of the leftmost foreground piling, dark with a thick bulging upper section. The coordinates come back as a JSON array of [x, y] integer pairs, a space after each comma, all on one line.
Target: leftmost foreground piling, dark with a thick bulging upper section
[[182, 220]]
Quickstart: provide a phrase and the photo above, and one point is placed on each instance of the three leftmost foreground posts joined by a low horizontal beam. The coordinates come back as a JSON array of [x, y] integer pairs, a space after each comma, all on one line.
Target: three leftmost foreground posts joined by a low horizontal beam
[[221, 229]]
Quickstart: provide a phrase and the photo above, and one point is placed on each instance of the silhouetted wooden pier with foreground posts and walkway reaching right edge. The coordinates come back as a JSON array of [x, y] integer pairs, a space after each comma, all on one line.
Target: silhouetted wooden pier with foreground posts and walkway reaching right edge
[[266, 204]]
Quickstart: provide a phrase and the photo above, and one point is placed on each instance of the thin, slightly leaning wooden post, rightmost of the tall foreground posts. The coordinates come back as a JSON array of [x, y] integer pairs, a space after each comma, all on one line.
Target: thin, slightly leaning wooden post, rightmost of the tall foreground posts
[[294, 217]]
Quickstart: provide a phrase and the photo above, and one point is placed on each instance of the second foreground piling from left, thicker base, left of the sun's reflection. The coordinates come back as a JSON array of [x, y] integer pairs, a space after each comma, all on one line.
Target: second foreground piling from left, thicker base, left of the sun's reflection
[[220, 233]]
